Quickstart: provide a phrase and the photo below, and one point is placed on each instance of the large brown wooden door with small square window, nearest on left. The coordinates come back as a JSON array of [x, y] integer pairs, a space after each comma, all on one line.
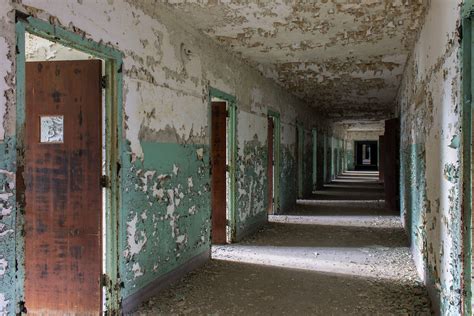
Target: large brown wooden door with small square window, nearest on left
[[63, 257]]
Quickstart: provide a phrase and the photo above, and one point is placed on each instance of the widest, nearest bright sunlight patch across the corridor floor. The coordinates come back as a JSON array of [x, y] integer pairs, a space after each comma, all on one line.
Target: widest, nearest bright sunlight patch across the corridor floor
[[375, 261]]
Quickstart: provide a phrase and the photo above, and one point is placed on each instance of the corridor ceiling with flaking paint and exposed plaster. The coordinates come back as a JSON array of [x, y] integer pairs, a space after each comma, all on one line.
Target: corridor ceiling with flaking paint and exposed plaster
[[345, 57]]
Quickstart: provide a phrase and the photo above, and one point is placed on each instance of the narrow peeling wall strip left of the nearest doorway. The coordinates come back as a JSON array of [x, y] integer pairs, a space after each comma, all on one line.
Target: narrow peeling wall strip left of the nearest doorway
[[7, 160]]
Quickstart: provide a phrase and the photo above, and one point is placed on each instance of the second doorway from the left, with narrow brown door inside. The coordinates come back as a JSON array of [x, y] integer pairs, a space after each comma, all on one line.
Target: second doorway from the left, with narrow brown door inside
[[223, 153]]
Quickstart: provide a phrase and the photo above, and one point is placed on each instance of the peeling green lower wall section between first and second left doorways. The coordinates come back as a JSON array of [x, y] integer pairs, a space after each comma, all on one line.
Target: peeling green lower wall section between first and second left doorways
[[166, 211]]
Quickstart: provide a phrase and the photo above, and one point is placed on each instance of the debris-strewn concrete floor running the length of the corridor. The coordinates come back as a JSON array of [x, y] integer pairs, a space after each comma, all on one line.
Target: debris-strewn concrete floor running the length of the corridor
[[338, 254]]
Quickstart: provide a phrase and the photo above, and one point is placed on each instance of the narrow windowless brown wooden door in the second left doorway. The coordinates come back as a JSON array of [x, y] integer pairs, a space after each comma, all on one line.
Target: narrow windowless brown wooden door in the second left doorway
[[218, 161]]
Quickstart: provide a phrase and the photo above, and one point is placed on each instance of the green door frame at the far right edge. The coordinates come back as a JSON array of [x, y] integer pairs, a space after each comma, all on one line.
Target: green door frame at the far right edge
[[467, 94]]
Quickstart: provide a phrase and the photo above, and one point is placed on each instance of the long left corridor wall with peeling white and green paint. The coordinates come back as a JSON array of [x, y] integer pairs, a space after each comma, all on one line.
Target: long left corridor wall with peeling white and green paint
[[167, 71]]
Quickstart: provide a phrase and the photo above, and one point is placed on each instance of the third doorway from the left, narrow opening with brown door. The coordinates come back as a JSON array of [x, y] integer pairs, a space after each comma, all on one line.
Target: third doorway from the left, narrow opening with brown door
[[273, 163]]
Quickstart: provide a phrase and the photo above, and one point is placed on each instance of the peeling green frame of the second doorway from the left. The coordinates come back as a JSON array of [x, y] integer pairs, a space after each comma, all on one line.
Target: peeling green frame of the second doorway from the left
[[232, 151]]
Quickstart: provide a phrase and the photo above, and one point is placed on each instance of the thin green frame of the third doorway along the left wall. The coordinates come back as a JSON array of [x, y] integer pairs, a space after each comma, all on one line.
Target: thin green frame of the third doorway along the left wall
[[276, 149]]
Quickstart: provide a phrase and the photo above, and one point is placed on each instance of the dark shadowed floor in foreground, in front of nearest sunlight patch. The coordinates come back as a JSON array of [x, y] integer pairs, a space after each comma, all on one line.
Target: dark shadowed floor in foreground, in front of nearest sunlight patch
[[230, 288]]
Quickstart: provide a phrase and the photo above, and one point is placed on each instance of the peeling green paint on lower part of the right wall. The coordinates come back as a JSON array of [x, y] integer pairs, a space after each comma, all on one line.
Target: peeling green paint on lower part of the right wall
[[416, 209]]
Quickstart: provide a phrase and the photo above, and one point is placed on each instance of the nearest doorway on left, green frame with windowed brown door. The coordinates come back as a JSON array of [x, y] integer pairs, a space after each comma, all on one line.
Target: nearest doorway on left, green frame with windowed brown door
[[67, 170]]
